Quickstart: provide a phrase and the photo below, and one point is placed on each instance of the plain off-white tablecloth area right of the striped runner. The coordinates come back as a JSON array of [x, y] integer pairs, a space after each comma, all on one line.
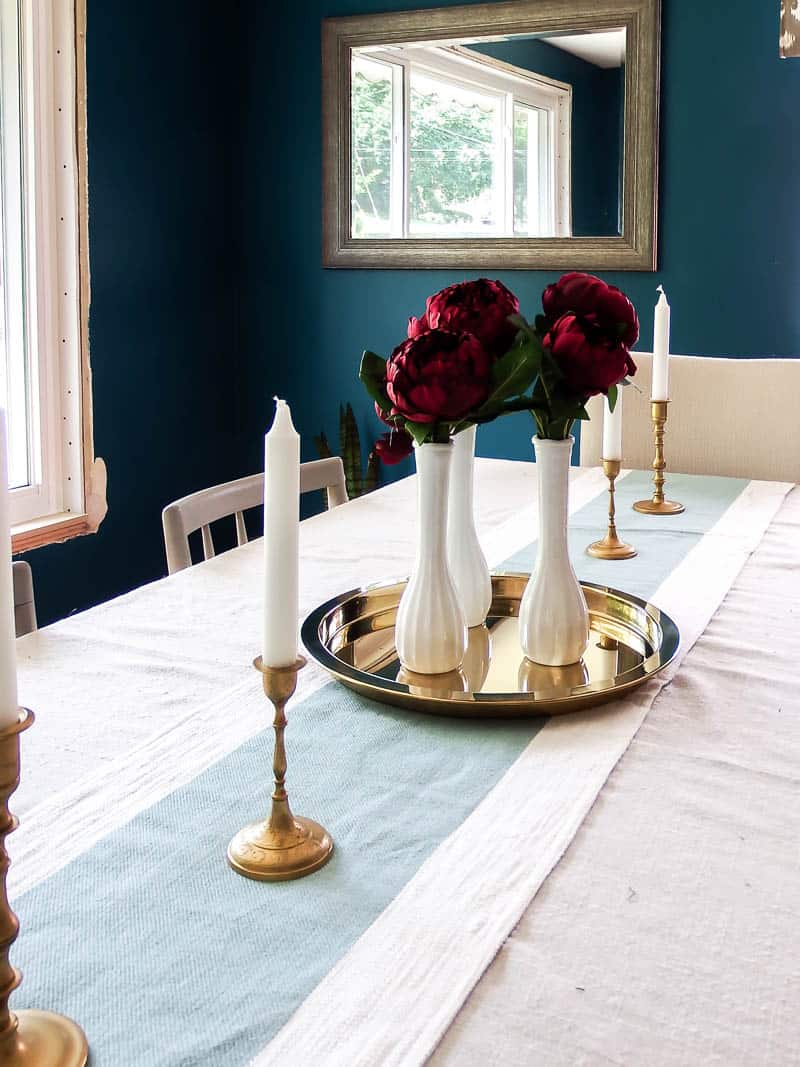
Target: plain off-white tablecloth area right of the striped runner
[[669, 934]]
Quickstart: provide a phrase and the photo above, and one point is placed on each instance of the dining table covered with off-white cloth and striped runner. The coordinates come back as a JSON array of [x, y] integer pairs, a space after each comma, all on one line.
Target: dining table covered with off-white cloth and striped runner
[[616, 886]]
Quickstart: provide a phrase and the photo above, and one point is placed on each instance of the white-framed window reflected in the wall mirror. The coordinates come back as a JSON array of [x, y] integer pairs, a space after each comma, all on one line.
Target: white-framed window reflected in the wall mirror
[[451, 144]]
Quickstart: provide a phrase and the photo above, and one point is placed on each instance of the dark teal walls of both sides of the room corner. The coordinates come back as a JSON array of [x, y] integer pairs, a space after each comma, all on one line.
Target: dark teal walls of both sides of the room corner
[[209, 296]]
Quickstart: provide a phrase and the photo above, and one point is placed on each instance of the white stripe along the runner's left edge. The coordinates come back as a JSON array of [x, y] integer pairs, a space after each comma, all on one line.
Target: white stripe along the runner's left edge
[[101, 804]]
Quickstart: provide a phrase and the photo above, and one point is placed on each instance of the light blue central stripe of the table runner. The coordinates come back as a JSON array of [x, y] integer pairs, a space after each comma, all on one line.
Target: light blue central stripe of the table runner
[[167, 958]]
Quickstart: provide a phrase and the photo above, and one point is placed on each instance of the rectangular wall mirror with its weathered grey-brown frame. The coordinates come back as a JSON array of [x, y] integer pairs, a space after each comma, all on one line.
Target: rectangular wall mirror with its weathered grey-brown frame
[[510, 135]]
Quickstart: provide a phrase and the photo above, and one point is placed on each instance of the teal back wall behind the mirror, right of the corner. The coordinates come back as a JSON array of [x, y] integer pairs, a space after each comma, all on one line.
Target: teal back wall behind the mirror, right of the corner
[[730, 215]]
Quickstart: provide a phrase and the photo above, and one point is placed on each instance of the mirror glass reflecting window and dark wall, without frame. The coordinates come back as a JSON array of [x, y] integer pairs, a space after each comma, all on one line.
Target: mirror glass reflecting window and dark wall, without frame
[[521, 137]]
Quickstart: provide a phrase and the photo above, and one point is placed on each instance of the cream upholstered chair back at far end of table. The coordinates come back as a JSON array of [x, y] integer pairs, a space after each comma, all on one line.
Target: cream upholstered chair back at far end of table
[[733, 418]]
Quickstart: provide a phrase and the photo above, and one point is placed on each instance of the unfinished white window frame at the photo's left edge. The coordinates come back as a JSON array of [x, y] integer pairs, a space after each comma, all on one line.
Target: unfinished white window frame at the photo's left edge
[[61, 499]]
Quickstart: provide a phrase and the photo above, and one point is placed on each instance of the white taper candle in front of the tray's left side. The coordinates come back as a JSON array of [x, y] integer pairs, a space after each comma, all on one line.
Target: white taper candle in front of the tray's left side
[[281, 540]]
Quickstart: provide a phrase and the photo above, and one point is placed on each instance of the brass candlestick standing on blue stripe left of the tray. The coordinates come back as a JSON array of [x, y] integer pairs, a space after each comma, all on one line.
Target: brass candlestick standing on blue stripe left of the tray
[[284, 847]]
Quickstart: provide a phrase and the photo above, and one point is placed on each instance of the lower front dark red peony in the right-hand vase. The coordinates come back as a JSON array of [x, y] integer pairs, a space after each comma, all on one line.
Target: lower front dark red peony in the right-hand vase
[[590, 362]]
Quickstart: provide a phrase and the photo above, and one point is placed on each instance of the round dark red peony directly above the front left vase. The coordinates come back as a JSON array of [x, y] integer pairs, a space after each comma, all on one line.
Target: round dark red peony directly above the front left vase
[[440, 375]]
